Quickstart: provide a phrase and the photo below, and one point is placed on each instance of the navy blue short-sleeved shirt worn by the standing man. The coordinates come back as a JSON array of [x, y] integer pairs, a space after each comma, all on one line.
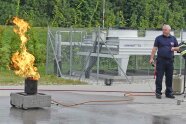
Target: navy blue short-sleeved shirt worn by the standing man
[[164, 45]]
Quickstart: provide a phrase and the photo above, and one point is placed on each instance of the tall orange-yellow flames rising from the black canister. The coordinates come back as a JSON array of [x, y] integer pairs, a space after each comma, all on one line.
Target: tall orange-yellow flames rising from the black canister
[[22, 62]]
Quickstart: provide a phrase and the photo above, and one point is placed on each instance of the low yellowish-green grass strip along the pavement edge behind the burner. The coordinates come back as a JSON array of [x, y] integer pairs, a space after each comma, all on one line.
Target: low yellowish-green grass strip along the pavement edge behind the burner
[[7, 77]]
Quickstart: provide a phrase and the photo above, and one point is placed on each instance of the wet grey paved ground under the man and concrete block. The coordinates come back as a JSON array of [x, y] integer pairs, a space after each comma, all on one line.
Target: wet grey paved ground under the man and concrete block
[[141, 110]]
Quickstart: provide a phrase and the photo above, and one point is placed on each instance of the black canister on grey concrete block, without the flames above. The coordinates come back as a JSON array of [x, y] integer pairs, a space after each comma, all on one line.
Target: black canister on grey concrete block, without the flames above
[[30, 98]]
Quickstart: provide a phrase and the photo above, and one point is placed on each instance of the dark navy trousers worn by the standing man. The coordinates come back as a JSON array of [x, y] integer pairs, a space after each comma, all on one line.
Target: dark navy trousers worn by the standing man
[[164, 66]]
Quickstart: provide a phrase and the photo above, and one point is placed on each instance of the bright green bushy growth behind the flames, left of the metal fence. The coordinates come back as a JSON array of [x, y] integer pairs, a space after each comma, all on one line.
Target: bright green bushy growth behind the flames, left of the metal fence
[[9, 43]]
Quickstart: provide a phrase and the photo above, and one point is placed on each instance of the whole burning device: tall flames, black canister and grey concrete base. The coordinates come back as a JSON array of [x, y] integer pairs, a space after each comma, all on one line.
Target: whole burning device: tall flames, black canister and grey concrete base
[[22, 63]]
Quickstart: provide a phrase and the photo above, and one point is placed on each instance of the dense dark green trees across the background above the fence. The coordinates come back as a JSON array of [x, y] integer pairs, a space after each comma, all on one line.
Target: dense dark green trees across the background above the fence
[[88, 13]]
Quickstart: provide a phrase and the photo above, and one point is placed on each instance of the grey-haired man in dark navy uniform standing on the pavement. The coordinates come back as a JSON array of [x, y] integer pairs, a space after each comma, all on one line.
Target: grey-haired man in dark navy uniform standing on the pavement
[[165, 45]]
